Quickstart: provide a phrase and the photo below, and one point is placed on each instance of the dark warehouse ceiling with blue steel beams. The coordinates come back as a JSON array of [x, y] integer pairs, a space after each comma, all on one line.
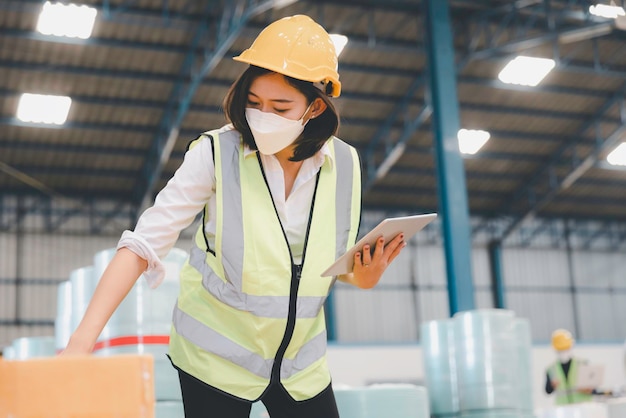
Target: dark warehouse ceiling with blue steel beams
[[154, 73]]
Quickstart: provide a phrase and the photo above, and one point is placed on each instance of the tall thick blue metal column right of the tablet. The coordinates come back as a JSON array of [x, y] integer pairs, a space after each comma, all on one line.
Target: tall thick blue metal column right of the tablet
[[453, 206]]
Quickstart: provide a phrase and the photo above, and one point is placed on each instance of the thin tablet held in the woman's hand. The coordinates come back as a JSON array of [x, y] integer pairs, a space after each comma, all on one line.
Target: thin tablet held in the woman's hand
[[389, 228]]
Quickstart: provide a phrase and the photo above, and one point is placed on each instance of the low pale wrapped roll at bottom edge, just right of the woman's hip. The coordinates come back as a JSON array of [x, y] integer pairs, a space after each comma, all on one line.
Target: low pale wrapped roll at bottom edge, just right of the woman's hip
[[383, 400]]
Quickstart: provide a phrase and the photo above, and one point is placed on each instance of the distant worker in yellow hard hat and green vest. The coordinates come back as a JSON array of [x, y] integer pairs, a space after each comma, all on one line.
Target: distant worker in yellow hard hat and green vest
[[561, 377]]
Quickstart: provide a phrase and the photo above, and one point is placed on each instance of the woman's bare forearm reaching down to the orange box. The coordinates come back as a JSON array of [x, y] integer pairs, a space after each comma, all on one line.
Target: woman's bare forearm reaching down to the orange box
[[115, 283]]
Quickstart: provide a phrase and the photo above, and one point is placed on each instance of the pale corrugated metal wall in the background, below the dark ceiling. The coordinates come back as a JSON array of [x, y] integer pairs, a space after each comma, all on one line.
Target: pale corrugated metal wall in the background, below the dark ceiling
[[584, 292]]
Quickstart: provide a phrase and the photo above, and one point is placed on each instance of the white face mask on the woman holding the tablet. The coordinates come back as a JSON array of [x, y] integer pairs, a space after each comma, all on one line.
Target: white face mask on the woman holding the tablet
[[273, 133]]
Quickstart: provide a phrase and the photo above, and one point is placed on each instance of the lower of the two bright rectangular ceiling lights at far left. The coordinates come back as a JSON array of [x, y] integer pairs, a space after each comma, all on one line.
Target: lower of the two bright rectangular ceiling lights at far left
[[41, 108]]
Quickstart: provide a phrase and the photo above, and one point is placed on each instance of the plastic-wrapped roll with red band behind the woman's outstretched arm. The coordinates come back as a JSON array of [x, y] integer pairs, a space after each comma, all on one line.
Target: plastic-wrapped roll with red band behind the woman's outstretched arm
[[141, 324]]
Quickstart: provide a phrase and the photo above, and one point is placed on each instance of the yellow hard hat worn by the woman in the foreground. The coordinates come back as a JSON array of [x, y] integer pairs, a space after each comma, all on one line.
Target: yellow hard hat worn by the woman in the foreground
[[297, 47]]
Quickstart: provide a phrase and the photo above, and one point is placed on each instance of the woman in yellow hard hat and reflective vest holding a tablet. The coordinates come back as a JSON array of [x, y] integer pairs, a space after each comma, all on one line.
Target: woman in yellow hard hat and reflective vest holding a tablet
[[281, 200]]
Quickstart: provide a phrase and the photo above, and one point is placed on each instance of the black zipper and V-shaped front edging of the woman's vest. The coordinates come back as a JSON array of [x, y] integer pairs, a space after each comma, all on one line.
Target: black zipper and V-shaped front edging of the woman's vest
[[296, 275]]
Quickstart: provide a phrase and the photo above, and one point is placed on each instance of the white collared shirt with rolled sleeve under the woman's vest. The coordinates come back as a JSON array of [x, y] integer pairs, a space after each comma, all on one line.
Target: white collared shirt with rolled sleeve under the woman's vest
[[193, 186]]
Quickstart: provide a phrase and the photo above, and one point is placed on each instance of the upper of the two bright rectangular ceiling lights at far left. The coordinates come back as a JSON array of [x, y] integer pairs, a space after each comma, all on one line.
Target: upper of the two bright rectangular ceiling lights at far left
[[66, 20]]
